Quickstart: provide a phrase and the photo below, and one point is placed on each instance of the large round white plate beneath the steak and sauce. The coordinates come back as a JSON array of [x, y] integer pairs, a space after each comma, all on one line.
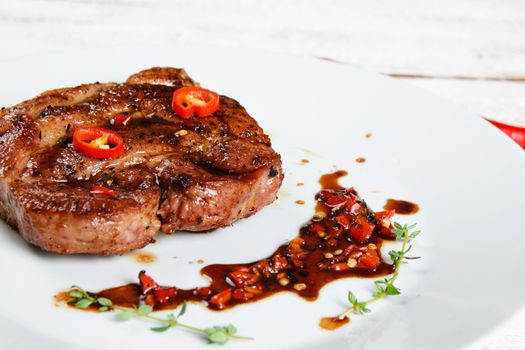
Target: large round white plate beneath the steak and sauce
[[467, 177]]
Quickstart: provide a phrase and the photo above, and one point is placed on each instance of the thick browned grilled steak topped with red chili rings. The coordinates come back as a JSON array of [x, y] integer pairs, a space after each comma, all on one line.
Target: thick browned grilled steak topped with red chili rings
[[192, 174]]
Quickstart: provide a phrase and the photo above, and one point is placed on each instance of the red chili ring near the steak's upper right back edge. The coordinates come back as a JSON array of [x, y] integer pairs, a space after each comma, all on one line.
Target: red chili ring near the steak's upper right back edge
[[194, 101]]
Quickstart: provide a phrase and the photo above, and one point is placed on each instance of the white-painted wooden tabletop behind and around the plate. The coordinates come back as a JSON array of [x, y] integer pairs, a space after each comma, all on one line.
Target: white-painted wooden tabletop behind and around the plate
[[469, 51]]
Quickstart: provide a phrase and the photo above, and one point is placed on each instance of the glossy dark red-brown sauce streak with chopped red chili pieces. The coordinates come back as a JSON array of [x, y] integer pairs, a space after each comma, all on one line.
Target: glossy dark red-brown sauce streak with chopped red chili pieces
[[344, 241]]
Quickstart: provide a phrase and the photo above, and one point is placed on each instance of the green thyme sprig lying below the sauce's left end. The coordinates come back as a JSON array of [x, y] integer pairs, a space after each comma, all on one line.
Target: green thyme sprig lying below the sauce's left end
[[215, 335]]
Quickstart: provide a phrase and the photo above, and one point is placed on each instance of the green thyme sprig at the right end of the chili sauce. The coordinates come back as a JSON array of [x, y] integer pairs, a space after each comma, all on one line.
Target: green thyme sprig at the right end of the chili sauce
[[386, 287]]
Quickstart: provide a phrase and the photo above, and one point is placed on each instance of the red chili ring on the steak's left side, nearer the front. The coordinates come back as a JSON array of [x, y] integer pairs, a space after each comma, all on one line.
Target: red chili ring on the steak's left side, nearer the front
[[97, 142]]
